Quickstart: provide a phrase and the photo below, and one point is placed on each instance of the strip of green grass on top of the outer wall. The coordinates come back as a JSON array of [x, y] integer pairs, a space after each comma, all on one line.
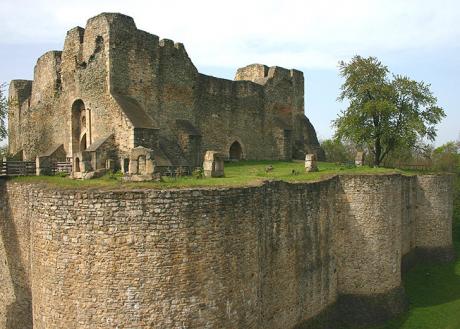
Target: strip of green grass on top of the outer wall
[[243, 173]]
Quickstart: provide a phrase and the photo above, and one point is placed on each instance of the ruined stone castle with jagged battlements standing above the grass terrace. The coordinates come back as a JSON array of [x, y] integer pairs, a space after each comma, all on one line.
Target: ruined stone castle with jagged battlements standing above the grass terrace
[[114, 88]]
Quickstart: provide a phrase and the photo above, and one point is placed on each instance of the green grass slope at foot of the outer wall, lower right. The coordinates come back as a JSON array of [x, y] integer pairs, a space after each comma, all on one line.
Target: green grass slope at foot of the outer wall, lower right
[[434, 291]]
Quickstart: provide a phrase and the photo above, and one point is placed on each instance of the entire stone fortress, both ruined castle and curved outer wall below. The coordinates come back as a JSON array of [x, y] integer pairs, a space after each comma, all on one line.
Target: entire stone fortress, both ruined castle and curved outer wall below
[[277, 255]]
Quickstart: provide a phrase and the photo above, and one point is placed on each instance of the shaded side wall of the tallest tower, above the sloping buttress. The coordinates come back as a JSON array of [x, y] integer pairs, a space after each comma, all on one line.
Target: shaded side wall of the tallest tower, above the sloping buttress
[[158, 74]]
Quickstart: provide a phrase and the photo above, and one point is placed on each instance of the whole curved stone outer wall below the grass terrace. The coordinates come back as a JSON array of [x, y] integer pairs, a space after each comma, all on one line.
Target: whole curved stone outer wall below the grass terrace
[[273, 256]]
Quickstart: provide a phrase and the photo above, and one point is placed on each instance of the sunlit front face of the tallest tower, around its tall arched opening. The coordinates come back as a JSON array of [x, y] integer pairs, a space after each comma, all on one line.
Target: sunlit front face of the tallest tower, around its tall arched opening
[[86, 74]]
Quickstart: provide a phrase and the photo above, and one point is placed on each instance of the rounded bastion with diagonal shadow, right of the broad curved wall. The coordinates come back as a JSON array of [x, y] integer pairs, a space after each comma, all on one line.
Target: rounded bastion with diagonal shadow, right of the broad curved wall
[[369, 254]]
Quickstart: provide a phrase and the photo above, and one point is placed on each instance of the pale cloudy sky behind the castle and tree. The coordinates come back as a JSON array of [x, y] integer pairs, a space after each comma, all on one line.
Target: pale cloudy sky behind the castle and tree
[[414, 37]]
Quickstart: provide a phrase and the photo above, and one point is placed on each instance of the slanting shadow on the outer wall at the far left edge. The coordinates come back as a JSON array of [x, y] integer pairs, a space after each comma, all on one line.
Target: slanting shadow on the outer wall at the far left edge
[[18, 313]]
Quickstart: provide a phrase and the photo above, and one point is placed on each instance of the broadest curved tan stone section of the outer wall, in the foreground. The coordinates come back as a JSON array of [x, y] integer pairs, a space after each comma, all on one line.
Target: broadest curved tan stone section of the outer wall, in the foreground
[[165, 259]]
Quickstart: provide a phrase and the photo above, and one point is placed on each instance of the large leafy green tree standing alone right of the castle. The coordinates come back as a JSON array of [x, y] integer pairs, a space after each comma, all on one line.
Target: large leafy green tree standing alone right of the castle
[[384, 112]]
